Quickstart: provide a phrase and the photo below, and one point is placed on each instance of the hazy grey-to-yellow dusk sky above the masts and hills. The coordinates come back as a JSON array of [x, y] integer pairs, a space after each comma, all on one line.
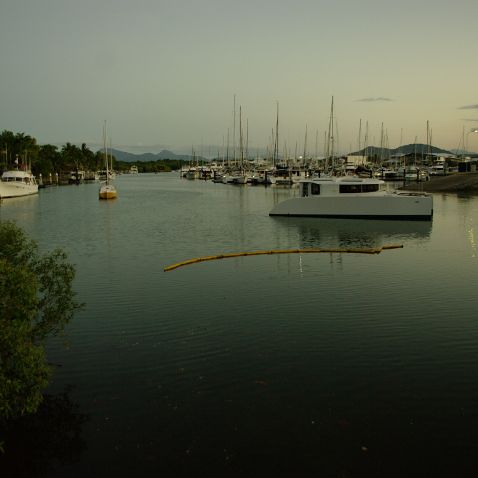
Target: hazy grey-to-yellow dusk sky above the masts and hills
[[163, 74]]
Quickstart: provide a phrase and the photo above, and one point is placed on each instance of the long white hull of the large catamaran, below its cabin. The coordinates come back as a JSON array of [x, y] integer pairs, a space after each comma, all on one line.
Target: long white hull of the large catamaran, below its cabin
[[394, 206]]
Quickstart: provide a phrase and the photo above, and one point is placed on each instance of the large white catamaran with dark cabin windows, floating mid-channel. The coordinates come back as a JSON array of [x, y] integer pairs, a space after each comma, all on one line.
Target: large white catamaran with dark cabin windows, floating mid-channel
[[354, 197]]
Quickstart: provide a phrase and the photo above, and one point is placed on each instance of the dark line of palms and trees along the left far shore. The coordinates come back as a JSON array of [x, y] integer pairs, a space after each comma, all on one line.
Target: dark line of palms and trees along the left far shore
[[22, 150]]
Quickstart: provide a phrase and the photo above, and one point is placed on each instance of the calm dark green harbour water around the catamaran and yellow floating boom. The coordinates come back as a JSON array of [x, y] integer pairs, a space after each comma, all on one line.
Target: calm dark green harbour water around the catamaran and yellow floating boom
[[335, 365]]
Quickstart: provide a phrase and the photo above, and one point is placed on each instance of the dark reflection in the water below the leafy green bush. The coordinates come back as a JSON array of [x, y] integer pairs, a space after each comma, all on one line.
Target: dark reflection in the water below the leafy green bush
[[34, 445]]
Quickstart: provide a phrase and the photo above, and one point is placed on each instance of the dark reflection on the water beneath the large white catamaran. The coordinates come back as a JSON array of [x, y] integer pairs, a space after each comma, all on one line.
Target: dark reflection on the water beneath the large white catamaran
[[316, 232]]
